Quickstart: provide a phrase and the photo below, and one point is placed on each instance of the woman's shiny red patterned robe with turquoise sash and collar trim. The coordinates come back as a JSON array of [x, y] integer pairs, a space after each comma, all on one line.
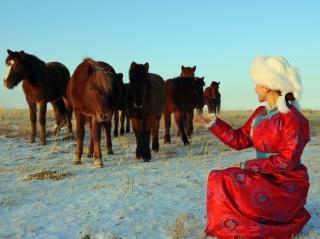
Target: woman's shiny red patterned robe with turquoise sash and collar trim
[[265, 199]]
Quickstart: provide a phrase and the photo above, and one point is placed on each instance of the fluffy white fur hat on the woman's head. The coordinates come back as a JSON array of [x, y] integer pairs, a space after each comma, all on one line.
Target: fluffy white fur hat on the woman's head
[[277, 74]]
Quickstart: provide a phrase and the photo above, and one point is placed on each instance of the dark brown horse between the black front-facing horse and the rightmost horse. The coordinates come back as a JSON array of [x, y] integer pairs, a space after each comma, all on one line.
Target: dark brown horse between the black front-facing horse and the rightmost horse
[[183, 95]]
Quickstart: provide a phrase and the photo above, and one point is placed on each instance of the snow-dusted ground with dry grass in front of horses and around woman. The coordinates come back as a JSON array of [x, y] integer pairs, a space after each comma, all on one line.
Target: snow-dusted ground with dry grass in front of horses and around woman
[[164, 198]]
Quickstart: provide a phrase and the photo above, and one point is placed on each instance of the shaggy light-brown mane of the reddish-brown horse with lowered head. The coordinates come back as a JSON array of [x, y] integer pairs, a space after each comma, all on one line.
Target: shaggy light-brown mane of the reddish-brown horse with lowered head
[[99, 79]]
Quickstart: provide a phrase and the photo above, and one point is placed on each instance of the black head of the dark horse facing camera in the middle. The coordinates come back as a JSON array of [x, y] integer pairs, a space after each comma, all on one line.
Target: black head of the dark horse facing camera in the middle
[[139, 83]]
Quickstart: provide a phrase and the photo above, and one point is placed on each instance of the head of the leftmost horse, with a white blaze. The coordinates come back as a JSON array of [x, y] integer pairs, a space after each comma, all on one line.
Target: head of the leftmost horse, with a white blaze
[[17, 69]]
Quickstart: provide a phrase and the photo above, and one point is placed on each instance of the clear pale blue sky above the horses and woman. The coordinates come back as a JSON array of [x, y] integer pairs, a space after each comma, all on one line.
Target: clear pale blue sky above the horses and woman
[[220, 37]]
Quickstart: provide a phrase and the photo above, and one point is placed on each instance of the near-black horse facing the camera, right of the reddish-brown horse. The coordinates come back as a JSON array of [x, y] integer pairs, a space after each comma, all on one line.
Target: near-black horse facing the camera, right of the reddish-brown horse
[[146, 100]]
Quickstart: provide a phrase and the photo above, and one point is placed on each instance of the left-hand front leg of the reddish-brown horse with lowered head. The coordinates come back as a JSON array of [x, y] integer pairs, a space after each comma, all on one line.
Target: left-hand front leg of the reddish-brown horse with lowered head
[[80, 131]]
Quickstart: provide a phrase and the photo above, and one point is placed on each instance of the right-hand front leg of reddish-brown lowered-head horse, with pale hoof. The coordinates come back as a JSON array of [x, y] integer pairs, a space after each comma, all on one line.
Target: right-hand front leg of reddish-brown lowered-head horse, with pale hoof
[[96, 136]]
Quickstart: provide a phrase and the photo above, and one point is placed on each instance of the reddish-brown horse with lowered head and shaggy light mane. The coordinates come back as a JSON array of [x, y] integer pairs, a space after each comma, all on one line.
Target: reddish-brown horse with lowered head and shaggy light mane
[[89, 91]]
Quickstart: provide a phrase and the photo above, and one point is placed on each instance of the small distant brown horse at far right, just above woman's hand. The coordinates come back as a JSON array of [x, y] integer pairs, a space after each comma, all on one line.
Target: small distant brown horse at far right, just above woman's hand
[[212, 98]]
